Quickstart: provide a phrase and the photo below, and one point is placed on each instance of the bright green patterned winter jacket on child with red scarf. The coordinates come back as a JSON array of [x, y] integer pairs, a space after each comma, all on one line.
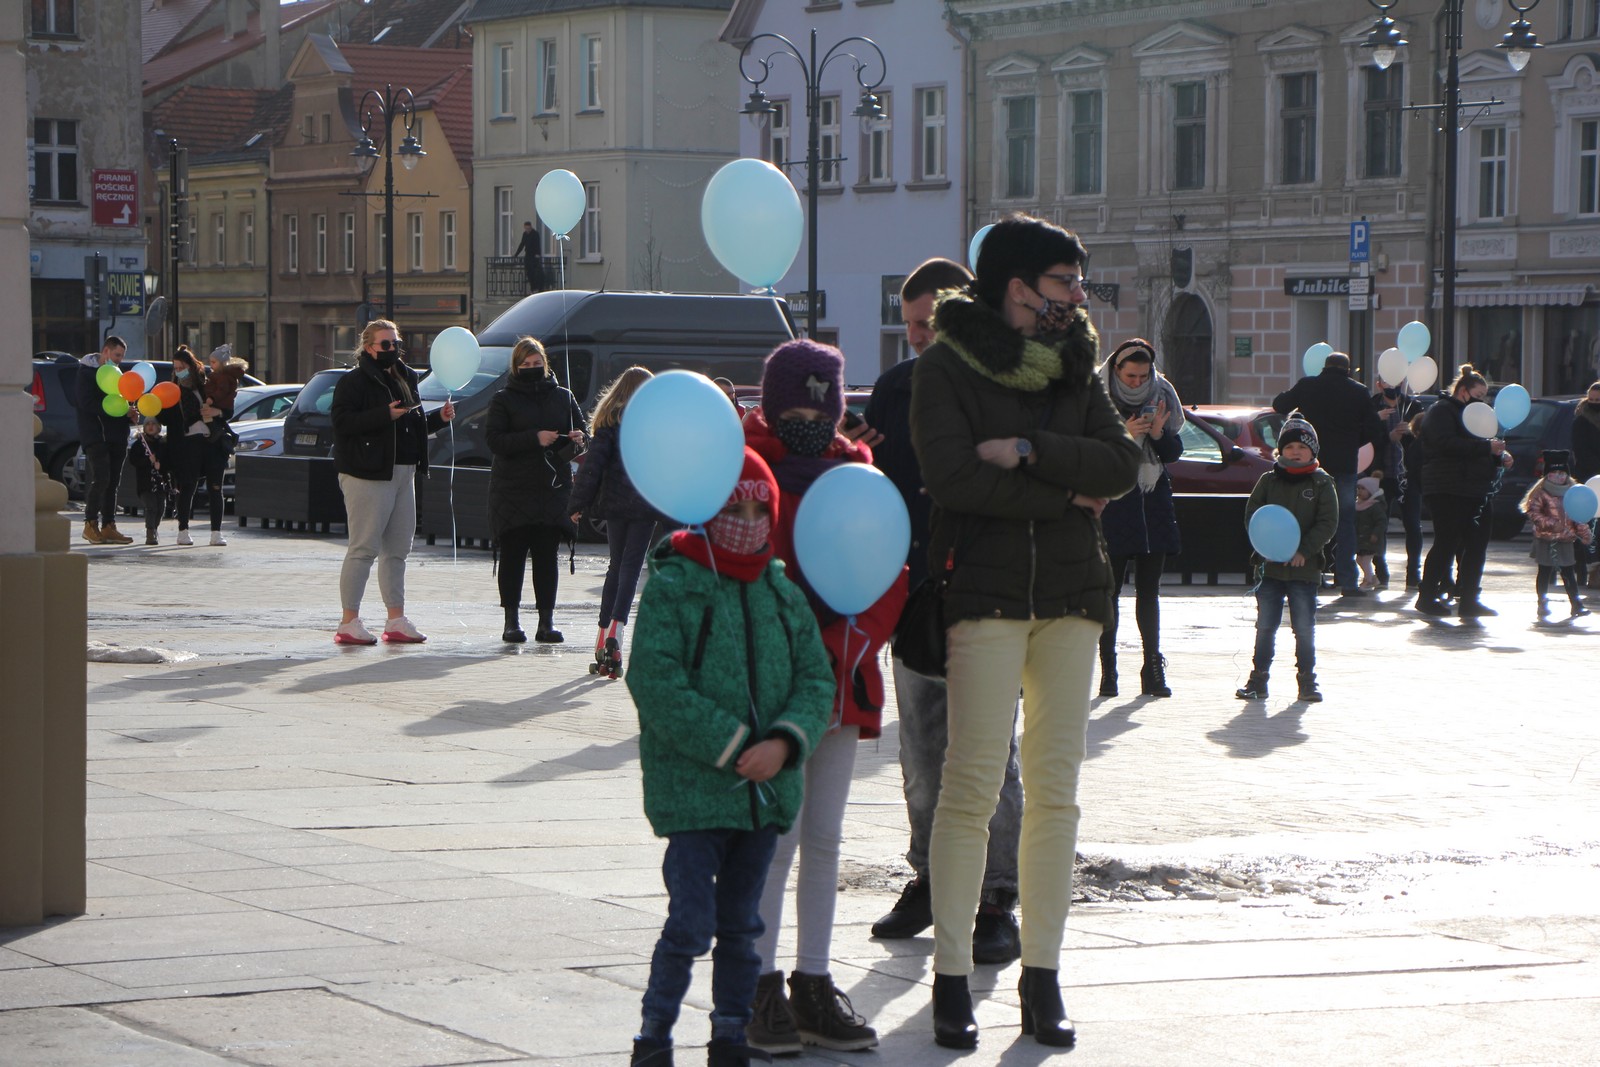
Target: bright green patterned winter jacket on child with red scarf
[[703, 645]]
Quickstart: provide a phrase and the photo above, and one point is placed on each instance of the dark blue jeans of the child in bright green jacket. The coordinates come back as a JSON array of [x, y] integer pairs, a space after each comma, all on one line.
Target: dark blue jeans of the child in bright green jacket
[[714, 887]]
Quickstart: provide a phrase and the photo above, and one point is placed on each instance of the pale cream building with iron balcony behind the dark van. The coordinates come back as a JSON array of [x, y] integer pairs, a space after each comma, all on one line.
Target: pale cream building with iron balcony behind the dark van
[[634, 97]]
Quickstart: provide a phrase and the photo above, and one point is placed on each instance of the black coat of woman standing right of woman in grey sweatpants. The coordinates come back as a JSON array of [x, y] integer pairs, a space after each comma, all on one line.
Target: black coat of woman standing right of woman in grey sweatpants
[[530, 486]]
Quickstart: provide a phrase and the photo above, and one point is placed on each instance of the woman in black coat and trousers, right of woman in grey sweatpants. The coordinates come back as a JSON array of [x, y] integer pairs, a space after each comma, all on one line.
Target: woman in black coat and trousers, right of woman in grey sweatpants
[[535, 428]]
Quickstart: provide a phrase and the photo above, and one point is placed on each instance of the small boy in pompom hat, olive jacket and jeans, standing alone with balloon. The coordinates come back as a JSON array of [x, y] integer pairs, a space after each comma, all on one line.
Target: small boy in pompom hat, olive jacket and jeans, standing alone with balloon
[[1308, 492]]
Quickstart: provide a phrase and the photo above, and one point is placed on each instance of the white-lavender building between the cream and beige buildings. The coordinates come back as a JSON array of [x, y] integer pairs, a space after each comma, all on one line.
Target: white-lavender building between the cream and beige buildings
[[890, 190]]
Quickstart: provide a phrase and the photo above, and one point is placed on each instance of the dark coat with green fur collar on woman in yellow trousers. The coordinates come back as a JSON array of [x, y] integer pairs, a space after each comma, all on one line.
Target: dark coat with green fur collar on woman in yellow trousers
[[1022, 549]]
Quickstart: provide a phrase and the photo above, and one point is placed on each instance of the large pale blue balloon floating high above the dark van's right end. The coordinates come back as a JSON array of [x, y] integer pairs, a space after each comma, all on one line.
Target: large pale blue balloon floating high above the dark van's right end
[[753, 222]]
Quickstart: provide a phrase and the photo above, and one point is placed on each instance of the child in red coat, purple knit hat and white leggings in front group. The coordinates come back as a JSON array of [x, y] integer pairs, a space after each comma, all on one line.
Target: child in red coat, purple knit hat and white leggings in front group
[[796, 431]]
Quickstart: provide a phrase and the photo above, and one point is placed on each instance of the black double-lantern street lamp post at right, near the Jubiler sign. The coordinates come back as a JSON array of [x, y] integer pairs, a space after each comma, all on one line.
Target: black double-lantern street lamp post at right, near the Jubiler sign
[[1386, 42]]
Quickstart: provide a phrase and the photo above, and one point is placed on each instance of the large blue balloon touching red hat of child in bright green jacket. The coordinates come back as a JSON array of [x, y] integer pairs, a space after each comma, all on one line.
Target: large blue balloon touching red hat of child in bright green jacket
[[682, 446]]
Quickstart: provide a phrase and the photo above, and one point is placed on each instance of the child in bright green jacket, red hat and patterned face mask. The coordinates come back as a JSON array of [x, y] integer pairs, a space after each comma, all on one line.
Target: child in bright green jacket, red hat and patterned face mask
[[734, 692]]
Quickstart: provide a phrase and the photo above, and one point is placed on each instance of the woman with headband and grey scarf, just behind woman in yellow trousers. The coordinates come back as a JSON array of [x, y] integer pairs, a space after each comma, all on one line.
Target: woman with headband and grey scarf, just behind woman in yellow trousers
[[1142, 527]]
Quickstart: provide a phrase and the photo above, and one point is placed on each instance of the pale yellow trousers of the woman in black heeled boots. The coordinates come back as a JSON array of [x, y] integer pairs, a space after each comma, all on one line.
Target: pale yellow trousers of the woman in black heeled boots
[[1054, 660]]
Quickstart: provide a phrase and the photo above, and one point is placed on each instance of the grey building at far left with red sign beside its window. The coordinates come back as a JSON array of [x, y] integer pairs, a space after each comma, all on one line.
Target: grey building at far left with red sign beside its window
[[86, 148]]
